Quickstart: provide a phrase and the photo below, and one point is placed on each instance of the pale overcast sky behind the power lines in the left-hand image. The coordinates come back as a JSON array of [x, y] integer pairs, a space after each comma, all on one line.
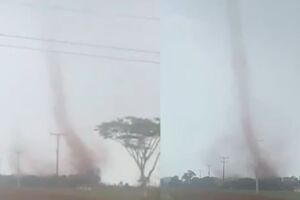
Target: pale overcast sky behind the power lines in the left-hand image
[[97, 90]]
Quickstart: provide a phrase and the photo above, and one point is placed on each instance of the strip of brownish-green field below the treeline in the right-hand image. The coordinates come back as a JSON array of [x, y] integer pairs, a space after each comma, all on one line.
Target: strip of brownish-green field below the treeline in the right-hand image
[[182, 194]]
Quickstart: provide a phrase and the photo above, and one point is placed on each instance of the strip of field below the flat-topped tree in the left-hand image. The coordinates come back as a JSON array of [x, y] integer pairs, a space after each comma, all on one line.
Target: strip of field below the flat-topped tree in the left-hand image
[[107, 193]]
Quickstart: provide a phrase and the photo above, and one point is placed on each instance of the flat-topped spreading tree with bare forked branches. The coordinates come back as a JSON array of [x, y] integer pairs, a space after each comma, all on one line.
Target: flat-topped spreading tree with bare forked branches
[[140, 137]]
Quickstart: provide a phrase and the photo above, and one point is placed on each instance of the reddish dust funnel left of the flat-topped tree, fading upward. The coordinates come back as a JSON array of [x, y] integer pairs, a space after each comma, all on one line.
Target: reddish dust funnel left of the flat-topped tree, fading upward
[[81, 157]]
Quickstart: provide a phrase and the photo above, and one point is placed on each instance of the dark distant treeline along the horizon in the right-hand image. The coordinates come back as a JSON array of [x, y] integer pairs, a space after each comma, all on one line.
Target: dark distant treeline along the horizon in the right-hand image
[[190, 180]]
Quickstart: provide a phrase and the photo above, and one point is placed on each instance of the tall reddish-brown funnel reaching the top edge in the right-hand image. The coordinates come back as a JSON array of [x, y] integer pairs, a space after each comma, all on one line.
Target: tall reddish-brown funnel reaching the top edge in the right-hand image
[[262, 167]]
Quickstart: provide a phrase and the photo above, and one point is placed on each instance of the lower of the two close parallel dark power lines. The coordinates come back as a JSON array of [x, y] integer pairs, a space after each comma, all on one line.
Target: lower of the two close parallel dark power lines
[[79, 54]]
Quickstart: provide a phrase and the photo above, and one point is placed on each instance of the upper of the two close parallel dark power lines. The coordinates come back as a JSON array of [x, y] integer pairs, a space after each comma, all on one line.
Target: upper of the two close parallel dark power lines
[[77, 43]]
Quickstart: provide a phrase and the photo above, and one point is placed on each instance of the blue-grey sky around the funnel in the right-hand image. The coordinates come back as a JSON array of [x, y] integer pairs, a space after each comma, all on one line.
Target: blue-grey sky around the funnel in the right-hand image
[[200, 120]]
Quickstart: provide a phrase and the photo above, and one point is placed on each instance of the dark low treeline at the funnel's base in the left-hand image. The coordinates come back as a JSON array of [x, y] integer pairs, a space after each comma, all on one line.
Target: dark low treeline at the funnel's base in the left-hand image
[[50, 181]]
